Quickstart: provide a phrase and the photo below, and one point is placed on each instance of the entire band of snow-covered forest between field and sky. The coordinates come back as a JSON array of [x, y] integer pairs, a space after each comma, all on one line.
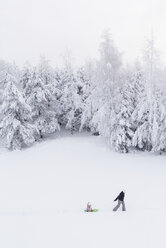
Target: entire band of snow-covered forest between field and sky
[[126, 104]]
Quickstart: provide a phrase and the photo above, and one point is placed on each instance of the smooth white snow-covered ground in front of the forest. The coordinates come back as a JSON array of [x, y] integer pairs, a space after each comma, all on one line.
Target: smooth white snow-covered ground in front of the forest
[[44, 189]]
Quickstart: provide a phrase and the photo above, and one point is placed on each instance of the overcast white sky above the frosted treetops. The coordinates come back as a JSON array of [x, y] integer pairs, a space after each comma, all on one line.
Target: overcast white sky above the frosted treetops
[[30, 28]]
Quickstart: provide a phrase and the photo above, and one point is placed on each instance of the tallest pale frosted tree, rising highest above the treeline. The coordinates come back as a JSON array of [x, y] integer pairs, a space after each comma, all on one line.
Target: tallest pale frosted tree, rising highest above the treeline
[[107, 79]]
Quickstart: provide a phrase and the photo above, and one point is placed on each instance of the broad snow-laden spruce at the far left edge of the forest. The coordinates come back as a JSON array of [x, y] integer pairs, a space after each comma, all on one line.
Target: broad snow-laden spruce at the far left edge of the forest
[[15, 127]]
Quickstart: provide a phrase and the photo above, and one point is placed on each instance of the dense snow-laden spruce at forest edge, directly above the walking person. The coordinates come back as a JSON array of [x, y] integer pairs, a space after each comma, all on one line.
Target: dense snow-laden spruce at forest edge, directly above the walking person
[[121, 129]]
